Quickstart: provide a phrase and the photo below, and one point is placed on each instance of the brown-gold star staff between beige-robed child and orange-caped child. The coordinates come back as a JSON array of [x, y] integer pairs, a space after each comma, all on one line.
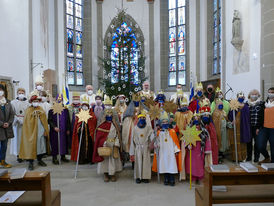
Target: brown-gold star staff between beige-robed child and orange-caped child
[[154, 113]]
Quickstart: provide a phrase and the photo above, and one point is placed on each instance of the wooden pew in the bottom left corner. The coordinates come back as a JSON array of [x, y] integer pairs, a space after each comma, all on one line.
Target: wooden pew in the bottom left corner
[[37, 186]]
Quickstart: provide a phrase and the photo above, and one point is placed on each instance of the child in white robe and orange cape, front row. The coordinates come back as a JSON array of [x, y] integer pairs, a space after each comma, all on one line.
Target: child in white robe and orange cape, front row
[[169, 152]]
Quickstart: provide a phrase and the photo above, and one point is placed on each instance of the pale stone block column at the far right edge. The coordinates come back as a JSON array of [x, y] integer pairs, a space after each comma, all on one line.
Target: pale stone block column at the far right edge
[[267, 45]]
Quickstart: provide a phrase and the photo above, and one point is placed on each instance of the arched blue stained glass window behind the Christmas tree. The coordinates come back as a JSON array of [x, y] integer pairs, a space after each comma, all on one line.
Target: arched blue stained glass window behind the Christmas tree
[[119, 52]]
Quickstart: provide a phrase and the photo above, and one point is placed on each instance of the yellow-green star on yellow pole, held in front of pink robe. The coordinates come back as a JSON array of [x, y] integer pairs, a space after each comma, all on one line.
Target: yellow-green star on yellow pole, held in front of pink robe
[[190, 137]]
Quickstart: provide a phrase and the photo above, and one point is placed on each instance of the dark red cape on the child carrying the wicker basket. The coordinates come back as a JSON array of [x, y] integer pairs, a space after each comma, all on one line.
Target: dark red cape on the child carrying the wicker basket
[[101, 137]]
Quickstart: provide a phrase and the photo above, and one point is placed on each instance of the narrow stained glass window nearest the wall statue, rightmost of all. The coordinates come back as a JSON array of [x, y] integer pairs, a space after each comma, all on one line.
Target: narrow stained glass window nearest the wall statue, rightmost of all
[[217, 34]]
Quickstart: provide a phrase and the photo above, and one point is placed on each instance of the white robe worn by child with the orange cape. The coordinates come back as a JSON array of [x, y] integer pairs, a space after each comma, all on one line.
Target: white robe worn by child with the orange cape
[[167, 160]]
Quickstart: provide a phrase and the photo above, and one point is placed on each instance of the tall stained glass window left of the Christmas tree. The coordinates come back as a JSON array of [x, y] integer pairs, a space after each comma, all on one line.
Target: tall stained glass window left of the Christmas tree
[[74, 18]]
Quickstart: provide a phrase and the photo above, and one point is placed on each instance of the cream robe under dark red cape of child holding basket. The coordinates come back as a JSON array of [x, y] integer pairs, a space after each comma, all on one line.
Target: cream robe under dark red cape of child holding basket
[[111, 165]]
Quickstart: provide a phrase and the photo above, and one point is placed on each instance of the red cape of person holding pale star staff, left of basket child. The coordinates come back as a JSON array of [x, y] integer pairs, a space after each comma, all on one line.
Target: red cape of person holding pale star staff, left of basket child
[[92, 123]]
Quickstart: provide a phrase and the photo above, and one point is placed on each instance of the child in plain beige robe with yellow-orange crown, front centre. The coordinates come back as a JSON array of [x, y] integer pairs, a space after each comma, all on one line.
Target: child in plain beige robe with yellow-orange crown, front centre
[[139, 152]]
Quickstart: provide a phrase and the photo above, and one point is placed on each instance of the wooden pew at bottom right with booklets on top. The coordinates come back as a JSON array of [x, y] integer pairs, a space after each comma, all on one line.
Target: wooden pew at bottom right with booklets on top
[[242, 187]]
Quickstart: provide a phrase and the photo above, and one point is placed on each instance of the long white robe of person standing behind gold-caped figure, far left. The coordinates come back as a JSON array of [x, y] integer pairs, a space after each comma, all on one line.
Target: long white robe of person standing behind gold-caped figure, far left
[[19, 108]]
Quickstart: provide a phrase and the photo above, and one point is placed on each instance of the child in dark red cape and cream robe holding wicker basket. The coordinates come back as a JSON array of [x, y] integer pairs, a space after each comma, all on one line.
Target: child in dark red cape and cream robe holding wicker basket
[[108, 135]]
